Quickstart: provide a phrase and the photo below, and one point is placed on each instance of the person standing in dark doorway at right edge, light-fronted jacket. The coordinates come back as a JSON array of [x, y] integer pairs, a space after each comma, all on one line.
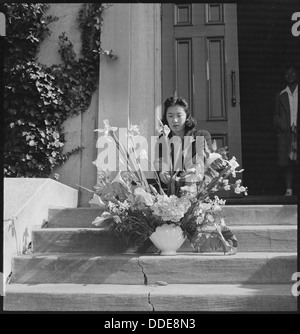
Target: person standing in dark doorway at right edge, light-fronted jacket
[[285, 122]]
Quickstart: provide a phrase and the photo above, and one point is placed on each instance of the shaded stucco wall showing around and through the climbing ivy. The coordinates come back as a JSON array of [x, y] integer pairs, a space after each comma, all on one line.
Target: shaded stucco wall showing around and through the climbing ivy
[[78, 129]]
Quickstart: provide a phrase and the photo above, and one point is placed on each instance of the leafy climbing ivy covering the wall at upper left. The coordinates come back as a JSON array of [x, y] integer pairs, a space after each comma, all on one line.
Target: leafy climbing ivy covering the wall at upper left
[[39, 98]]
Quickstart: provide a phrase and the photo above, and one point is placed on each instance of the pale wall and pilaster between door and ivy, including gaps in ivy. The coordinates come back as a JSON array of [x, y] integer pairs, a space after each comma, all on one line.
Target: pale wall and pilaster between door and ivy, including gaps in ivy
[[129, 88]]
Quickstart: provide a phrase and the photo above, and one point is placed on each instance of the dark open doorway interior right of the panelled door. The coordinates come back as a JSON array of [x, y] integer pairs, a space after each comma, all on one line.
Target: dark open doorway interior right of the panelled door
[[266, 46]]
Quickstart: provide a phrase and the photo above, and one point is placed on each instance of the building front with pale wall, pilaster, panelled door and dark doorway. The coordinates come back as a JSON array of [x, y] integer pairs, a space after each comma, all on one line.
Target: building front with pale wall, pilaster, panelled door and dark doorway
[[199, 51]]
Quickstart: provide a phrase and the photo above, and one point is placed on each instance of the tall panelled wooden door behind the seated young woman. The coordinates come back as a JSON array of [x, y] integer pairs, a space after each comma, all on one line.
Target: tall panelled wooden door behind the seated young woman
[[200, 63]]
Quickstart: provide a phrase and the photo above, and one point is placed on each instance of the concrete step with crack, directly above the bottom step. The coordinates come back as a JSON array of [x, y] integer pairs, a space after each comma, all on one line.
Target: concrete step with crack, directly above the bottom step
[[188, 268]]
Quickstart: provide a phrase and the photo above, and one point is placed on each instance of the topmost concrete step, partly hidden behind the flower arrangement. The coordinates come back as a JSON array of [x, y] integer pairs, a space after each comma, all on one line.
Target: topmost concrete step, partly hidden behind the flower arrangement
[[234, 215]]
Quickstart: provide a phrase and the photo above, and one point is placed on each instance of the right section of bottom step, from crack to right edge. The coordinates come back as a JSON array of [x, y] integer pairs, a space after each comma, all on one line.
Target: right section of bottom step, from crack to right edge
[[220, 297]]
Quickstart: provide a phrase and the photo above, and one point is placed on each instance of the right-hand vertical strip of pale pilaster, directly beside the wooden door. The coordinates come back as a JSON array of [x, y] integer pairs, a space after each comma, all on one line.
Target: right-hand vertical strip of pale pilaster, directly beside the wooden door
[[145, 66]]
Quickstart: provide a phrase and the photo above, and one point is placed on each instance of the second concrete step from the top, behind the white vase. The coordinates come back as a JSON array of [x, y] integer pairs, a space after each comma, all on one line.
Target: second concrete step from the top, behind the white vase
[[265, 238]]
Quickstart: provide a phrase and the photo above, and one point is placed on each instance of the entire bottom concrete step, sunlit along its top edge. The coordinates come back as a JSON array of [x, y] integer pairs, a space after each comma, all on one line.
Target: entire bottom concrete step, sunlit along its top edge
[[173, 297]]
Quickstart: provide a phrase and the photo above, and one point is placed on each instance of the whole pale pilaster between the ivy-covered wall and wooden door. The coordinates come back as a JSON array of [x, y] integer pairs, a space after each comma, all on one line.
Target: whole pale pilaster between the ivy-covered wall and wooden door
[[130, 87]]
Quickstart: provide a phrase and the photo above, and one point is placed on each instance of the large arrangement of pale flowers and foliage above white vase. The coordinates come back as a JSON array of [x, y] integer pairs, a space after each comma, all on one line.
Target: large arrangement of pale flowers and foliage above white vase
[[135, 208]]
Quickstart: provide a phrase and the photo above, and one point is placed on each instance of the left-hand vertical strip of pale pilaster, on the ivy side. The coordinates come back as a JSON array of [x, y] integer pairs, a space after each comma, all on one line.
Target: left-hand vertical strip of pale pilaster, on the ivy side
[[114, 74]]
